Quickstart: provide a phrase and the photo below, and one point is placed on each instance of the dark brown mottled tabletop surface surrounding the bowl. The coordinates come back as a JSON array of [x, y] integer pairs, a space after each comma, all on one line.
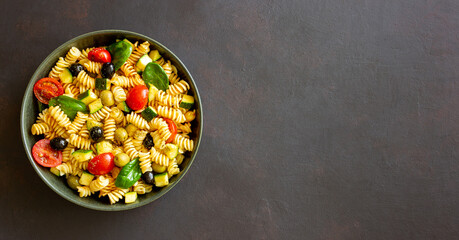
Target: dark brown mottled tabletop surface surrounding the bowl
[[325, 119]]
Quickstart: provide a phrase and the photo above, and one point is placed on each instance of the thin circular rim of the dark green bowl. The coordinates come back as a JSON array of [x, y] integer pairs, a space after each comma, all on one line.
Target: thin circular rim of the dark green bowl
[[28, 151]]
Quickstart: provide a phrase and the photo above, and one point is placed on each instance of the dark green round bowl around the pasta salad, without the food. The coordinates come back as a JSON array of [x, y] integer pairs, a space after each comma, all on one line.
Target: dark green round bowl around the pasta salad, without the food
[[29, 112]]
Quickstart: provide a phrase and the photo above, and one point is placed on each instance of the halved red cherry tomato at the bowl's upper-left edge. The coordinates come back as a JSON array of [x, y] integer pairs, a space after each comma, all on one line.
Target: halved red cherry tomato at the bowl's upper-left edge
[[47, 88]]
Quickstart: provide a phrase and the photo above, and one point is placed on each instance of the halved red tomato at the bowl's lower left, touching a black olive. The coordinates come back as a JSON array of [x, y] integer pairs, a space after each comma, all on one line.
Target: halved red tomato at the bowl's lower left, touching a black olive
[[44, 155]]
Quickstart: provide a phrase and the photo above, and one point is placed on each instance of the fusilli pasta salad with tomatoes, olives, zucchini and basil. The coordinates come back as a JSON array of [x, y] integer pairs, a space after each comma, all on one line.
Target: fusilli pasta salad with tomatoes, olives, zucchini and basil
[[115, 120]]
